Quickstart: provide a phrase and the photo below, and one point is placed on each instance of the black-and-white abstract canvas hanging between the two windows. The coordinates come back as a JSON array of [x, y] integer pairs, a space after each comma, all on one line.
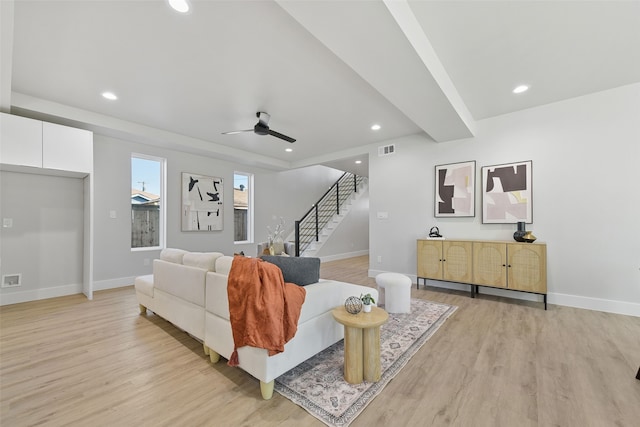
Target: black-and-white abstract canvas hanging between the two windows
[[202, 203]]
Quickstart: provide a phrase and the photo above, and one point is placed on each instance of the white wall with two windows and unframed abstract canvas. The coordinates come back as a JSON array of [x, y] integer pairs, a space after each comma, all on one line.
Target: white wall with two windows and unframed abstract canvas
[[287, 194]]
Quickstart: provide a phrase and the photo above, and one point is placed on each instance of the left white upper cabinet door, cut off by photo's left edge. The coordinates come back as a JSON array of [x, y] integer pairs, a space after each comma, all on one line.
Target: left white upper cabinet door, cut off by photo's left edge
[[20, 141]]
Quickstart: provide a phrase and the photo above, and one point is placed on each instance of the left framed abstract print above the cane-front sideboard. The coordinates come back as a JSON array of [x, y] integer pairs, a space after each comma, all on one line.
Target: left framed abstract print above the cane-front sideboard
[[455, 189]]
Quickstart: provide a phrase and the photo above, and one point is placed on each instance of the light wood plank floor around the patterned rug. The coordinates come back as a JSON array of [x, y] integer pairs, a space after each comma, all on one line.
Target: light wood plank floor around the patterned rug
[[495, 362]]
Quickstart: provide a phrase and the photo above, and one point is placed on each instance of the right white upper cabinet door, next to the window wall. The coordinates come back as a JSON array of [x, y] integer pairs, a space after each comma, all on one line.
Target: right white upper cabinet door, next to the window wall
[[65, 148]]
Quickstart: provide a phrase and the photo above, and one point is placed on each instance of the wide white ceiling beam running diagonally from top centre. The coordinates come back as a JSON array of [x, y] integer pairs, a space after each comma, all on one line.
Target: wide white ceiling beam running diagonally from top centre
[[374, 43]]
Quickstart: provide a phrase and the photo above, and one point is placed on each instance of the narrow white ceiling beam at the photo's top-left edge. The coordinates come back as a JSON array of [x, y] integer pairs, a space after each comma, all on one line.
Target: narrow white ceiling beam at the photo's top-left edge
[[6, 53]]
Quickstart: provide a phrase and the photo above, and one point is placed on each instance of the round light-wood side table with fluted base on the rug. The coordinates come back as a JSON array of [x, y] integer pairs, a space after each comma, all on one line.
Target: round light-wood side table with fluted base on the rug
[[361, 343]]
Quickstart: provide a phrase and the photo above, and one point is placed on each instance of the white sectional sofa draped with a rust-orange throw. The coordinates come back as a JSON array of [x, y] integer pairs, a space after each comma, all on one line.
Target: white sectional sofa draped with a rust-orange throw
[[190, 291]]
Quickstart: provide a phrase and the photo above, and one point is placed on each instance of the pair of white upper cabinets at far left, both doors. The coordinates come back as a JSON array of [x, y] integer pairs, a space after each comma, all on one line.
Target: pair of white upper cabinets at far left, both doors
[[28, 142]]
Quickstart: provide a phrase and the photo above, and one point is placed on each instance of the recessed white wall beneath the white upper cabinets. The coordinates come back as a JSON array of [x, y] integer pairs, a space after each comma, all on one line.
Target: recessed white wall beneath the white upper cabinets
[[45, 243]]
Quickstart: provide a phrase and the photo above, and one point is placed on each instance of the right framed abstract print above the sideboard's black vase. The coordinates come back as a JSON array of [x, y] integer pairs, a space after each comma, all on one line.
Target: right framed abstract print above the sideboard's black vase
[[507, 193]]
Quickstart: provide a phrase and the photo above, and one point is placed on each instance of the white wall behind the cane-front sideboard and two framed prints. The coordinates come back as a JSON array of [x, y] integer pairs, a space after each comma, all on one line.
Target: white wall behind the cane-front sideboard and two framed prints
[[586, 195]]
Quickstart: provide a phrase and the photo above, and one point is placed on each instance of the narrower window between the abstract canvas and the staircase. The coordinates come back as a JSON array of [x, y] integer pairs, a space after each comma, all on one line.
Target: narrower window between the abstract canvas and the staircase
[[243, 207]]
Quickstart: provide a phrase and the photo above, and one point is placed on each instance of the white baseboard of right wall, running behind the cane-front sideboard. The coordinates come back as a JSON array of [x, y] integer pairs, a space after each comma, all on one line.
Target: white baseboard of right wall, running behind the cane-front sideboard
[[577, 301]]
